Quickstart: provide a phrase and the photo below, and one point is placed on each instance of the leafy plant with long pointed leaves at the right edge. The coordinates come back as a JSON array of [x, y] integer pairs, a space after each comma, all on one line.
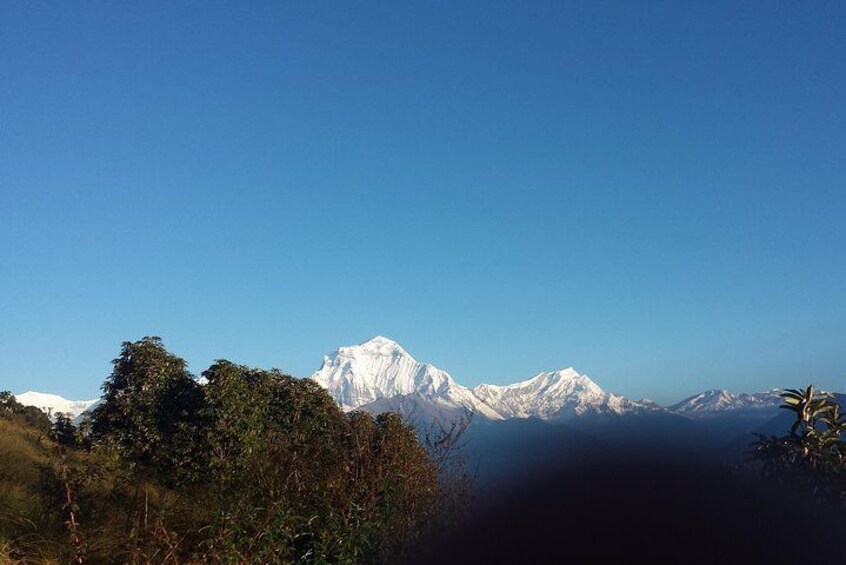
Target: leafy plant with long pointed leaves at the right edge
[[813, 453]]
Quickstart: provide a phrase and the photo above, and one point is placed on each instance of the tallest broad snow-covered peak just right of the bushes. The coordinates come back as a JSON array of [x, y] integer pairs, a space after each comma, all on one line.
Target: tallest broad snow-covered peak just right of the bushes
[[380, 369]]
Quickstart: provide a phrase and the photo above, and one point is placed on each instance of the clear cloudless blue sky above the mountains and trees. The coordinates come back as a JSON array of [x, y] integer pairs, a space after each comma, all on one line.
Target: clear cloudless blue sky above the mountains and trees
[[651, 192]]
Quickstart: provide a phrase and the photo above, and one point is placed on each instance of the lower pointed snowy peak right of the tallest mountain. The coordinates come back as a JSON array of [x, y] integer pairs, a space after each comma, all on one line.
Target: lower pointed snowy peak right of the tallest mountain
[[556, 395]]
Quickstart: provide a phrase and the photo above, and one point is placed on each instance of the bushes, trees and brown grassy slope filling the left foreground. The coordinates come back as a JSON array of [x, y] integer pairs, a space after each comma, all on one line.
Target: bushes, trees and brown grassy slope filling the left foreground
[[253, 467]]
